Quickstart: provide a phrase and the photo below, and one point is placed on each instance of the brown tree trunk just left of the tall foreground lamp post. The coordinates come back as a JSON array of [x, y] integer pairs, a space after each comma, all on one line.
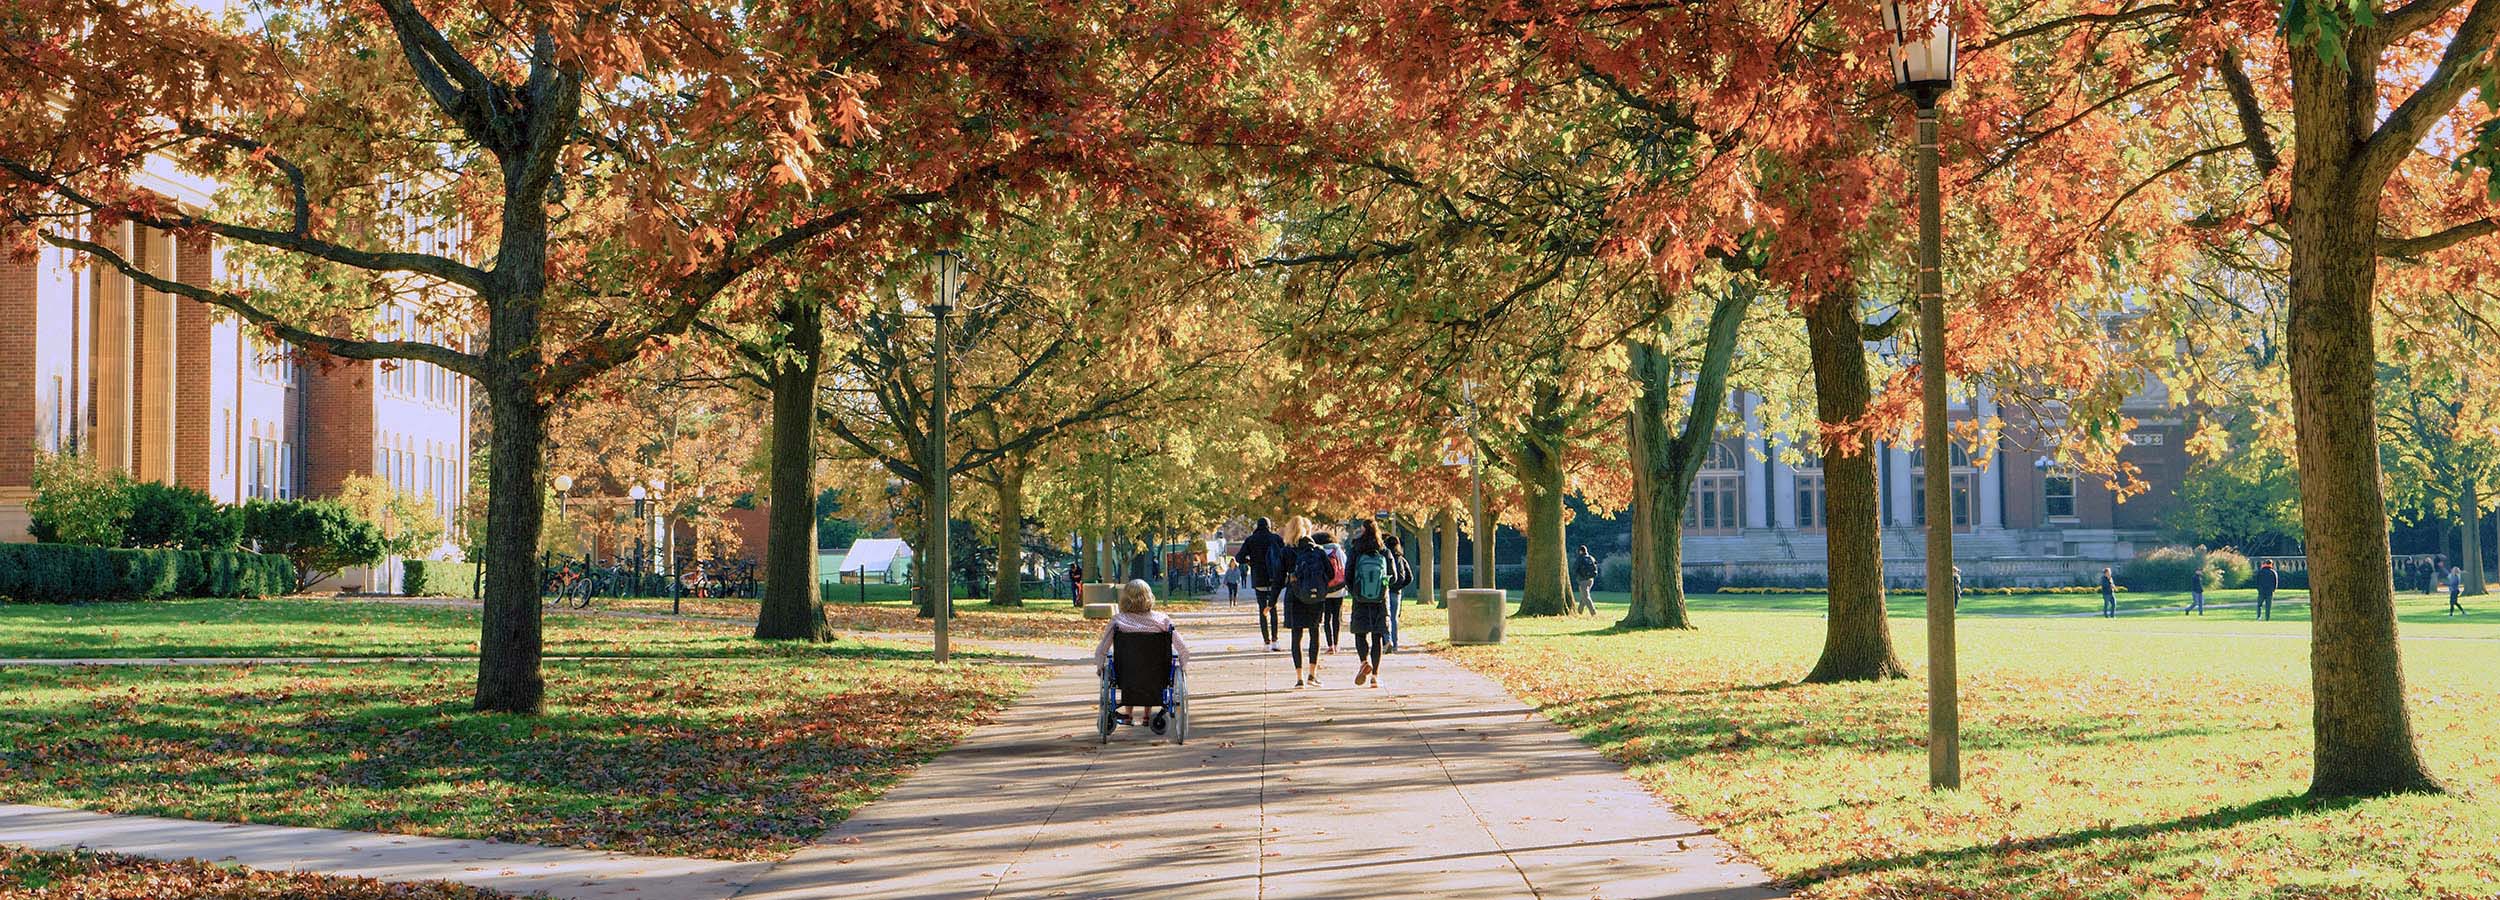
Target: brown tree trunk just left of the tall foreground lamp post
[[1859, 636]]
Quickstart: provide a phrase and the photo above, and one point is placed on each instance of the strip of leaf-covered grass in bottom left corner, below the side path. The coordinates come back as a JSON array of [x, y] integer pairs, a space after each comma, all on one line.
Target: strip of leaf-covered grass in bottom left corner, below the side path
[[101, 876]]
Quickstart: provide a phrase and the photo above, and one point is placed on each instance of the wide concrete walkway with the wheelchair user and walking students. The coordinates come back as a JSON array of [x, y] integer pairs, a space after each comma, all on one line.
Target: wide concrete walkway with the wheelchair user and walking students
[[1439, 786]]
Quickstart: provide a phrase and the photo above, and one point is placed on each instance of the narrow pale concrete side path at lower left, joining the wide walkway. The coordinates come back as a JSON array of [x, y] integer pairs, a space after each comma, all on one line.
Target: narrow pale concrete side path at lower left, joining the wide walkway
[[501, 866]]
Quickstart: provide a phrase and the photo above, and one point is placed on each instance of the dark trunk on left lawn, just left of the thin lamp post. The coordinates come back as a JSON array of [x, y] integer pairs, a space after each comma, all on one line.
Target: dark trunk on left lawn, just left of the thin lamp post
[[794, 606]]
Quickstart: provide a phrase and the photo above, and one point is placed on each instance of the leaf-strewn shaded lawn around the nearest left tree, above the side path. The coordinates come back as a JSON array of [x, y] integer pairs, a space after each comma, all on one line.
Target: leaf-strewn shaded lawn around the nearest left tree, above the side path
[[716, 759]]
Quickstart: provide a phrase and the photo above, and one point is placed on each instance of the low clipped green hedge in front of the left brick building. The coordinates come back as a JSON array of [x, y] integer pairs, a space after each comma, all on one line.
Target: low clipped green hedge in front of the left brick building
[[69, 574]]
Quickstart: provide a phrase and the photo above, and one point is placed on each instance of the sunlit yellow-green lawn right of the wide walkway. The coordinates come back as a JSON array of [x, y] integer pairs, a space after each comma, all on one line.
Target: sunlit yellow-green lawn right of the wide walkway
[[2149, 756]]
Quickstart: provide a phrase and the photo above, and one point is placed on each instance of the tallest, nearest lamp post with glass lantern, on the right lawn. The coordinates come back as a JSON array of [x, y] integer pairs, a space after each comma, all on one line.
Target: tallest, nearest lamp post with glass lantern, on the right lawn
[[1924, 59]]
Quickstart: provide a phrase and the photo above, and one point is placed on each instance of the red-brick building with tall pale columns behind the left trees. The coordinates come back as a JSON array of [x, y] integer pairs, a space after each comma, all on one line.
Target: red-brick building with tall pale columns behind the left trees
[[176, 391]]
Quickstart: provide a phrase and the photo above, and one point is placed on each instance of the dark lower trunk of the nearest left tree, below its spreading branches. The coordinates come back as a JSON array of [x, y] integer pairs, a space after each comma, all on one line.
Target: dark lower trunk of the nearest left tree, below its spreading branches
[[511, 631]]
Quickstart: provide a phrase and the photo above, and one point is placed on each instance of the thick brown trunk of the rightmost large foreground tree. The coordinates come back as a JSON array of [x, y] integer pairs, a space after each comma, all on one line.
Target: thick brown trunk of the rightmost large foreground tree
[[2359, 679]]
